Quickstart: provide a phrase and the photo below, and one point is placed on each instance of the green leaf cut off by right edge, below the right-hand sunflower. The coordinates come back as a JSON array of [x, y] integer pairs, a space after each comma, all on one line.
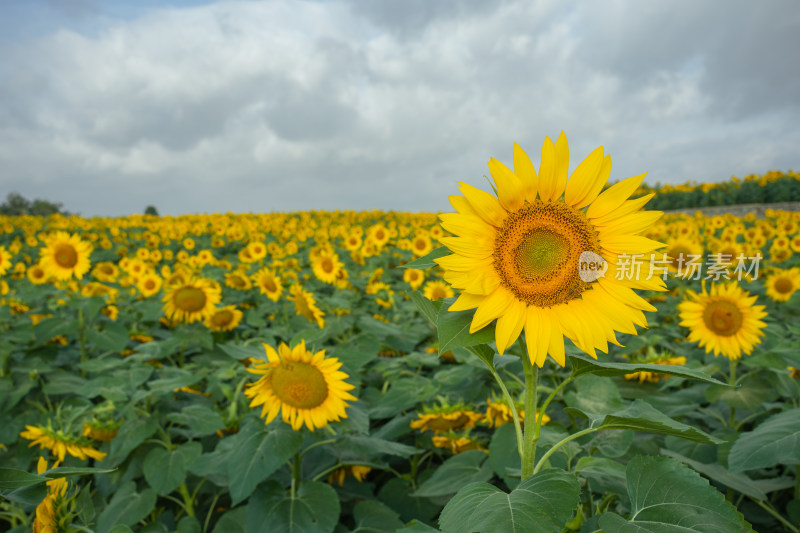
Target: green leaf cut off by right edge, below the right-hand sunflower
[[775, 441]]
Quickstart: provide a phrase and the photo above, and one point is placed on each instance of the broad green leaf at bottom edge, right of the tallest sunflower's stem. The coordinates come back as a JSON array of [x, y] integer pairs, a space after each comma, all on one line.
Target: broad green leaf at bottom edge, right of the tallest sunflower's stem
[[667, 496]]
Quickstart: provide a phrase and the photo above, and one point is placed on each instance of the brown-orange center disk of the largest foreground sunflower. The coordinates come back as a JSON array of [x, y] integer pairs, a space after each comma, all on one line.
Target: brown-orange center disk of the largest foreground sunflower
[[537, 252]]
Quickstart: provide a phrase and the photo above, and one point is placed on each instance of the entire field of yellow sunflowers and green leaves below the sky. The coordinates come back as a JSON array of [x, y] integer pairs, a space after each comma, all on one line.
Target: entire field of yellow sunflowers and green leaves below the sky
[[548, 357]]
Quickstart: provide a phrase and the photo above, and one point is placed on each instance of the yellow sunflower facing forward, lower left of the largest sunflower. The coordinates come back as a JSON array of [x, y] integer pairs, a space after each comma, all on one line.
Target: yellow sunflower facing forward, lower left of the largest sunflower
[[305, 387]]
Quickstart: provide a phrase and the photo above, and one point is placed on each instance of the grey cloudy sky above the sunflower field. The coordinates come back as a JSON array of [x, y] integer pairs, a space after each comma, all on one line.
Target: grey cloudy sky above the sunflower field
[[283, 105]]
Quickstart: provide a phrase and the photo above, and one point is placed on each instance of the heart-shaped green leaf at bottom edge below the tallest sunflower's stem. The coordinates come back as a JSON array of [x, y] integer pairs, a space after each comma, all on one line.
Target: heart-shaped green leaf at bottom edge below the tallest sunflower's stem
[[543, 503]]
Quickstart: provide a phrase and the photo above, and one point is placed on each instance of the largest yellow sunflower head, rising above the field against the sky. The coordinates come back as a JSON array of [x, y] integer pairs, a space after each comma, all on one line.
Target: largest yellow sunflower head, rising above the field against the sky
[[517, 256]]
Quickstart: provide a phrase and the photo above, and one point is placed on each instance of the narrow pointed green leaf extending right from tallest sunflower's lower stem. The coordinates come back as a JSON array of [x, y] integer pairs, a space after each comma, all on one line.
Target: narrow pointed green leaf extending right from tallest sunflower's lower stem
[[642, 416]]
